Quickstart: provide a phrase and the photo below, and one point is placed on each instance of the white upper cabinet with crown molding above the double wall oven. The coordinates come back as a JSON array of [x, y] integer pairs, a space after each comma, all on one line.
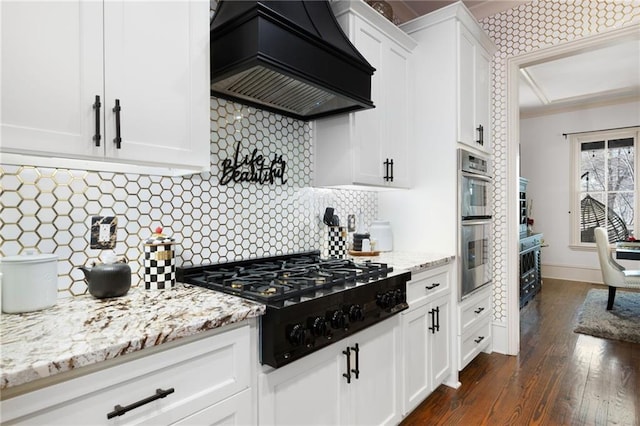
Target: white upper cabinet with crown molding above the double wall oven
[[453, 78]]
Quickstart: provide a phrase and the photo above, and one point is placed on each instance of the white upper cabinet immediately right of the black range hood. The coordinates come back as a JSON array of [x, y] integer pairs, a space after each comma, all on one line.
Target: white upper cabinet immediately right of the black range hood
[[370, 147]]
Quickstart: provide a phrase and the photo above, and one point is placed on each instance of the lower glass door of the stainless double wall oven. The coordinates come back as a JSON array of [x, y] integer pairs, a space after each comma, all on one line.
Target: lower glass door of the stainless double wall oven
[[475, 254]]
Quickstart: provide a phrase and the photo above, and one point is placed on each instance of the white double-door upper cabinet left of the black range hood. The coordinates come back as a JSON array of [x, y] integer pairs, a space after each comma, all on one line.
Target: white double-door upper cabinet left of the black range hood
[[151, 57]]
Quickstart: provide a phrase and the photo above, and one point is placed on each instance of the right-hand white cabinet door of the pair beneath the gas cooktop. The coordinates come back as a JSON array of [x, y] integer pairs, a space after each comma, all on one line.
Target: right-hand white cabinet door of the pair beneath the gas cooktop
[[374, 394]]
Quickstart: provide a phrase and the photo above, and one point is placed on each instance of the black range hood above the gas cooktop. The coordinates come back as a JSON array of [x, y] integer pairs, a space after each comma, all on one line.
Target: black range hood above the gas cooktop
[[289, 57]]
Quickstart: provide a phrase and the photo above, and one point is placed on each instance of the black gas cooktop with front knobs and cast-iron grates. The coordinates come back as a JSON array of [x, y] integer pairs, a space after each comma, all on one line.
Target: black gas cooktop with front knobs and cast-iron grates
[[311, 302]]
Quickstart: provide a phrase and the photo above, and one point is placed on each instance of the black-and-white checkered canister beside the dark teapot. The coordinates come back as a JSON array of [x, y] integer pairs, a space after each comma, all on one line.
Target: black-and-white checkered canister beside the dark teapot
[[159, 263]]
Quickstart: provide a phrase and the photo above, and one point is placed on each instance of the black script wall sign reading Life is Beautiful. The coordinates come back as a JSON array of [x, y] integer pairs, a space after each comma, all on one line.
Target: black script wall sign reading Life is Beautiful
[[253, 167]]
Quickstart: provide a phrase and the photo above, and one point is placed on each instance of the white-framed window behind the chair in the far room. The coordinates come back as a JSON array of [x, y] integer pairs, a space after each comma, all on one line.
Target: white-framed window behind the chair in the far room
[[605, 190]]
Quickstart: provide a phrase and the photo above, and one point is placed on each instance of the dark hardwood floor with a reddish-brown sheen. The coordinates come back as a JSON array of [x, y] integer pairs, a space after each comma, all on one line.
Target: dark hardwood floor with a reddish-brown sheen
[[559, 377]]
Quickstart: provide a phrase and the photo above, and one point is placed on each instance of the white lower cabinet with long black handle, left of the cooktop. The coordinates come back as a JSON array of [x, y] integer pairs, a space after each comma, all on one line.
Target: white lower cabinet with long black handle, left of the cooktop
[[209, 381]]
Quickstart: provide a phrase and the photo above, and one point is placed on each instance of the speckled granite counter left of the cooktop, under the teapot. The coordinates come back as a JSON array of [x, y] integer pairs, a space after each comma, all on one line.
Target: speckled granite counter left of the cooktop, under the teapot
[[82, 331]]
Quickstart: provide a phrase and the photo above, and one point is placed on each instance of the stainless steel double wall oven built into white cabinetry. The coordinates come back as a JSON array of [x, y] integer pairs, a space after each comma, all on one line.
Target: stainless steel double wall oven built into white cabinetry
[[474, 202]]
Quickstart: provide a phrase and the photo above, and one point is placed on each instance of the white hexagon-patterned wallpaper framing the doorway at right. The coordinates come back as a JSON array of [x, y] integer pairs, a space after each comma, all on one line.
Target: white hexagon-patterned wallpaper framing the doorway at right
[[524, 29]]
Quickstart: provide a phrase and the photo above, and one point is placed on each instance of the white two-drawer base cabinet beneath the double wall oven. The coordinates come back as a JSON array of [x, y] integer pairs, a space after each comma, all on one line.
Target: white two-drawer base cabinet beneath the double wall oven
[[474, 326]]
